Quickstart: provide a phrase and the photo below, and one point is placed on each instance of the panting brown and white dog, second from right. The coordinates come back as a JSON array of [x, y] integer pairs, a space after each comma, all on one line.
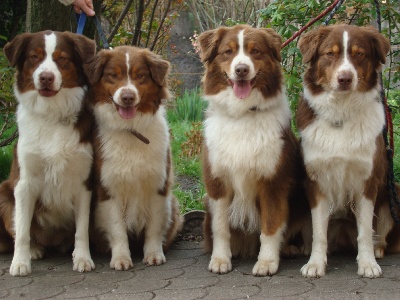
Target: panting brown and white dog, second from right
[[251, 158]]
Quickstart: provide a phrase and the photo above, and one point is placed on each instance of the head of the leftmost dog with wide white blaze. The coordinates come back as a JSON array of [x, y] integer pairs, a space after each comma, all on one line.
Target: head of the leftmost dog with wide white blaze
[[48, 61]]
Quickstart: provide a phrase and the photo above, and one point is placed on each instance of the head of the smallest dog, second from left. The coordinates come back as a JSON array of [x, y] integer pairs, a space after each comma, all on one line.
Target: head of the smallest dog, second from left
[[129, 79]]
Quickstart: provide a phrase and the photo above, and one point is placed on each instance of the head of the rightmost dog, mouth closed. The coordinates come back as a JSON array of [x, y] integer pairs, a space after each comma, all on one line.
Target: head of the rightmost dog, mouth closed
[[343, 58]]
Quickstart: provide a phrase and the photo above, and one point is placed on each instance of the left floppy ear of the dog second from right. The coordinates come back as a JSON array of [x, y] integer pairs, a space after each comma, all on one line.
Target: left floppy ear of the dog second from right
[[209, 41]]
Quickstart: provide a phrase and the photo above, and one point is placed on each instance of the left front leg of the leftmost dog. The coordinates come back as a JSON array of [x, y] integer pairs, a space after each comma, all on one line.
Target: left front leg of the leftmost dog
[[26, 194]]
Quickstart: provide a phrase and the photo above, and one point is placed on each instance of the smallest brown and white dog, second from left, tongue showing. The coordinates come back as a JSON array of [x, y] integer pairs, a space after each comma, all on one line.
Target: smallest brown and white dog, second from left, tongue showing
[[132, 154]]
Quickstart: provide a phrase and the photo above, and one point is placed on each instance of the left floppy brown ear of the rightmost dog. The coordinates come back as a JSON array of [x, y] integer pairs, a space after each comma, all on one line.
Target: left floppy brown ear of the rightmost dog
[[310, 41]]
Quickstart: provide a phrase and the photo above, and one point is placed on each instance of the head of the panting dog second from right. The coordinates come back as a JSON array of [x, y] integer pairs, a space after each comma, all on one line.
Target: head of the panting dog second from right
[[242, 58]]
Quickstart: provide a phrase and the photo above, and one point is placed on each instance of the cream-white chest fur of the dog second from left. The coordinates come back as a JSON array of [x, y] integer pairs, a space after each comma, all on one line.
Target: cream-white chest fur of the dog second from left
[[133, 170]]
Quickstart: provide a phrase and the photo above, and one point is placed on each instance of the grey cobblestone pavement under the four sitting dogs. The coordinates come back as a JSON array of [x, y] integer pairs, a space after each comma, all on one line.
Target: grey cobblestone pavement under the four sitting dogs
[[185, 276]]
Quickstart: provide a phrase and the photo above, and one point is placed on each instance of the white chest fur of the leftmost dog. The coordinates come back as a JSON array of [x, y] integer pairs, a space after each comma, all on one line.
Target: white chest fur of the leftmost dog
[[50, 153]]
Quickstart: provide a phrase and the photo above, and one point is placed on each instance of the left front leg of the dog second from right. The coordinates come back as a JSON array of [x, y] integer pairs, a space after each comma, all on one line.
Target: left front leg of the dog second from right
[[221, 255]]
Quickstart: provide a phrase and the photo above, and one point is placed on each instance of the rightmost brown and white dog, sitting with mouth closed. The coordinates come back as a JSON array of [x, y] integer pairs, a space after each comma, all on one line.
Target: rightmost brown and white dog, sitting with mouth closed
[[340, 120]]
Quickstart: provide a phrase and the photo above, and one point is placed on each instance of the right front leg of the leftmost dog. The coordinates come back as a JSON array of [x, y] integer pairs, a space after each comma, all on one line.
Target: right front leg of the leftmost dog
[[81, 255]]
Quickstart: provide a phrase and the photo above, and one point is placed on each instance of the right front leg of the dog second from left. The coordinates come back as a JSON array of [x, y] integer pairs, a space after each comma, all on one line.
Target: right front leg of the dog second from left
[[156, 228]]
